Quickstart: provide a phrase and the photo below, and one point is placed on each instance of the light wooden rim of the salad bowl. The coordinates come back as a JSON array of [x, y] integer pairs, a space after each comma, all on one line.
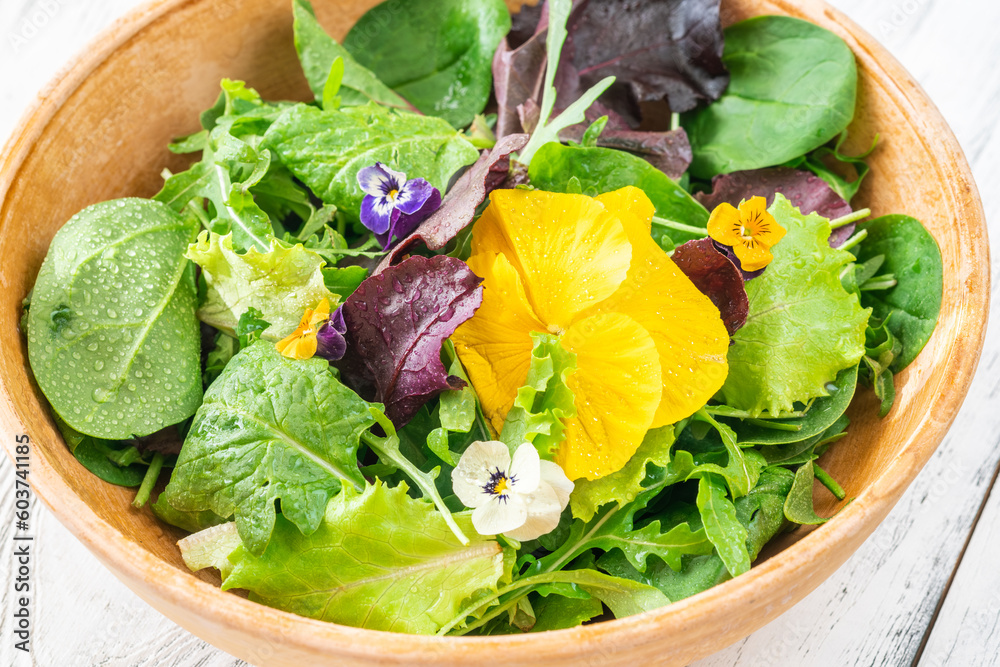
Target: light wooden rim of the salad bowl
[[133, 563]]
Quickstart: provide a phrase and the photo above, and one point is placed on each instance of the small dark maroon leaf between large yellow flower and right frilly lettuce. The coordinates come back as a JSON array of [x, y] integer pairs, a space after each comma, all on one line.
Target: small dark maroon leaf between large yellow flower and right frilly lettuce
[[716, 277]]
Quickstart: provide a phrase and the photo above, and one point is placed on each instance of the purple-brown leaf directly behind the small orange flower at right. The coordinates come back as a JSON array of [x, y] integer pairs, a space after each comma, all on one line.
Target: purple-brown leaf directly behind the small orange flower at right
[[806, 191]]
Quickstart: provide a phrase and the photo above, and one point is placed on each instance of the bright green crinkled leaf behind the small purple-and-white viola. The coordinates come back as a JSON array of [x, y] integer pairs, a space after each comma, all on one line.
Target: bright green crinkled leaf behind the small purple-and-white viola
[[326, 149]]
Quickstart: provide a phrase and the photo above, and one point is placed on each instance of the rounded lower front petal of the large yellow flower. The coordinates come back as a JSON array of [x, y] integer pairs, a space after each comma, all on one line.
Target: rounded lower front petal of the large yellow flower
[[617, 387]]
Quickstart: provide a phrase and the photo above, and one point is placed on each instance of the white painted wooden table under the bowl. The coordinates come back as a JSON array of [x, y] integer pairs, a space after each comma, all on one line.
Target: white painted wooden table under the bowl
[[923, 590]]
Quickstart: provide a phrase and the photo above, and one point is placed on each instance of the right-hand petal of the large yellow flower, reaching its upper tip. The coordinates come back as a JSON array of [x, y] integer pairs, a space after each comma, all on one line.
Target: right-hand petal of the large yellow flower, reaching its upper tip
[[690, 337]]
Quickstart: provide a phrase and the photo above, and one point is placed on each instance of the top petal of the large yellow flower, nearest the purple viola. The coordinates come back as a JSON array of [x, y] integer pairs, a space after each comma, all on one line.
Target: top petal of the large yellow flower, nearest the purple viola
[[569, 252]]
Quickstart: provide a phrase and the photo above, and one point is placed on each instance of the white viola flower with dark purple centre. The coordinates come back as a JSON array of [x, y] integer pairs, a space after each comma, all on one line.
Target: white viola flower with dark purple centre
[[521, 498]]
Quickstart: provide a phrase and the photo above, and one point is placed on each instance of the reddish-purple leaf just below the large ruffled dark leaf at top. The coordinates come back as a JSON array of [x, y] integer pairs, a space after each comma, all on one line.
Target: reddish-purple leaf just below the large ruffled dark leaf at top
[[670, 152]]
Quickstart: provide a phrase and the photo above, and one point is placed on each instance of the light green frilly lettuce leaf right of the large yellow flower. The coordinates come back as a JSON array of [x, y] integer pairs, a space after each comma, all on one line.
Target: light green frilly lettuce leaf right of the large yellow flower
[[803, 327]]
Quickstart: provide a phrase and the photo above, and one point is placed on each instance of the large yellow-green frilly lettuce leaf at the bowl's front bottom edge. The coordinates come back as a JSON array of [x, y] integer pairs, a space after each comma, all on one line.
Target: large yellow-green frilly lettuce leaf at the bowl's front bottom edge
[[378, 560]]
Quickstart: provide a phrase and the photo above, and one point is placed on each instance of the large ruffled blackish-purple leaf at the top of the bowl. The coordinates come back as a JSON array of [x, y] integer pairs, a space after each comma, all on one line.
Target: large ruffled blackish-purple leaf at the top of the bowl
[[669, 49]]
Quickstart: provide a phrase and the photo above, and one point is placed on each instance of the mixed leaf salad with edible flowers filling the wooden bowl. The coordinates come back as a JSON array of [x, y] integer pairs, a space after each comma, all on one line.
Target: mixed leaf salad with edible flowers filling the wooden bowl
[[524, 320]]
